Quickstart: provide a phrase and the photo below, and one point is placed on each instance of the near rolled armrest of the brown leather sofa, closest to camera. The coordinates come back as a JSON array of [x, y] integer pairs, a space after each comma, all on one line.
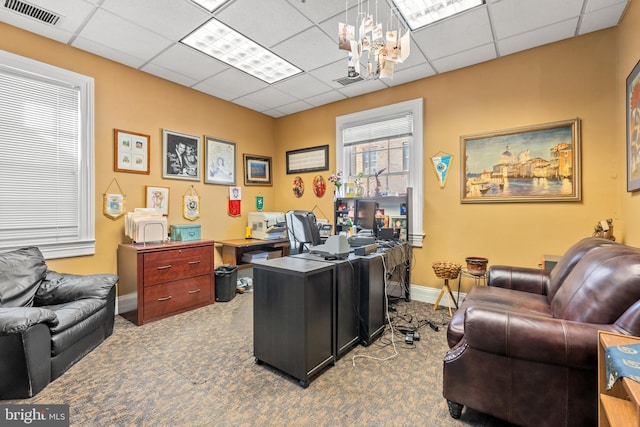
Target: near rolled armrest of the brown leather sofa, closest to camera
[[534, 338]]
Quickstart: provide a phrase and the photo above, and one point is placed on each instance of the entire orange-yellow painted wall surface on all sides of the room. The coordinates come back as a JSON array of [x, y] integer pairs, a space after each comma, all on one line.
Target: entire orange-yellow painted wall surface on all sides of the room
[[581, 77]]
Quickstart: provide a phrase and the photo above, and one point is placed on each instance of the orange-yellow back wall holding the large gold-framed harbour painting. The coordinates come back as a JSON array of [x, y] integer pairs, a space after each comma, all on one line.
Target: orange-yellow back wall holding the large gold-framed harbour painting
[[572, 78]]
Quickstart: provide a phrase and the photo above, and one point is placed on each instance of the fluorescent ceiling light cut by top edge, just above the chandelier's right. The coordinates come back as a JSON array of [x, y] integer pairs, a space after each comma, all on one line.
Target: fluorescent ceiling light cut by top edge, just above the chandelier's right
[[419, 13]]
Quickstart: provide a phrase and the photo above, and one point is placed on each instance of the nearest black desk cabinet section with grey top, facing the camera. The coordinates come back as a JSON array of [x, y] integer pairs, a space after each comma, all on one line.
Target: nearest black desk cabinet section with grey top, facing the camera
[[293, 312]]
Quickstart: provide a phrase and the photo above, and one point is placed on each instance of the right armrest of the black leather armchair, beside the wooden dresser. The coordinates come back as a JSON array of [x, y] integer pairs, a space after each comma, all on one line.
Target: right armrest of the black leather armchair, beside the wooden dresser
[[59, 288]]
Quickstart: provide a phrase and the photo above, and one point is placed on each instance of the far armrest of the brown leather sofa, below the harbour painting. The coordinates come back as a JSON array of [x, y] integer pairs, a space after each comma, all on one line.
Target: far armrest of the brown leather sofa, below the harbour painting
[[524, 279]]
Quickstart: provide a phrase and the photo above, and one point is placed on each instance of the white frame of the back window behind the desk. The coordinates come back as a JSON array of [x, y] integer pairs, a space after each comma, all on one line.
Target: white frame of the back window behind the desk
[[416, 159]]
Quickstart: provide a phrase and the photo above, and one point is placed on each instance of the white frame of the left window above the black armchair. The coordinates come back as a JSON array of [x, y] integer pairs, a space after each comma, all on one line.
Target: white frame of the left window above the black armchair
[[29, 68]]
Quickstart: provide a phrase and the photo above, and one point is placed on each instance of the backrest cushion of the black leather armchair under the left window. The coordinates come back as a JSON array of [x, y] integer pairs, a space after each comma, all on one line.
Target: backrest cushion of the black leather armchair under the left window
[[21, 271]]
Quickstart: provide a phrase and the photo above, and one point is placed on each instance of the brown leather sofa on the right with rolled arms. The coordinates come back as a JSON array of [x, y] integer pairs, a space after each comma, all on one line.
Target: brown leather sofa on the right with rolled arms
[[524, 348]]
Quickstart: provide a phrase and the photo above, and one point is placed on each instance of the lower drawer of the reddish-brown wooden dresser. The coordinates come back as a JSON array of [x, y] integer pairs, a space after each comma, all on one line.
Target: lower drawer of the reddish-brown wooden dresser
[[167, 298]]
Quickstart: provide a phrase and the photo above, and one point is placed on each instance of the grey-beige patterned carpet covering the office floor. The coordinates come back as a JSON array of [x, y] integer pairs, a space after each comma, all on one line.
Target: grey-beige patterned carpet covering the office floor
[[198, 369]]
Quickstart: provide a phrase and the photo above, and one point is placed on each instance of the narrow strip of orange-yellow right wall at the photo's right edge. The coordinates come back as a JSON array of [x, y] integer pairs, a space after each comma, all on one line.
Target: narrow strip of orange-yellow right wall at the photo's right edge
[[629, 54]]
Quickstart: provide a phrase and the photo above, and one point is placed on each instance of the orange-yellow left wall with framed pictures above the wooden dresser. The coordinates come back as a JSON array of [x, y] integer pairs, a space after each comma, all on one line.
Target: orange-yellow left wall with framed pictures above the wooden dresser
[[135, 101]]
